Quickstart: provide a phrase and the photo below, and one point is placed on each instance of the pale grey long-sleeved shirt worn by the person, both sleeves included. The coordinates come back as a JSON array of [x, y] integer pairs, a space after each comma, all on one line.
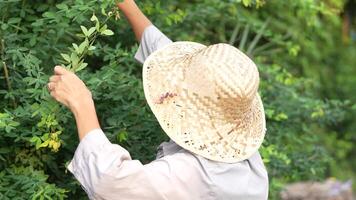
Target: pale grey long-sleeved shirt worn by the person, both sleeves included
[[107, 171]]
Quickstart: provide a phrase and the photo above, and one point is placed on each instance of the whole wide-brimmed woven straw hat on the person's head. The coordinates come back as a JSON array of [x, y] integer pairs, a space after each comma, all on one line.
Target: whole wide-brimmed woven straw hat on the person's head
[[205, 99]]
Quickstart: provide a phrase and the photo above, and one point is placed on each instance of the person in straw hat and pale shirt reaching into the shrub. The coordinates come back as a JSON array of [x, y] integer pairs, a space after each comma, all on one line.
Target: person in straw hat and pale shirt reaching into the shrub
[[205, 99]]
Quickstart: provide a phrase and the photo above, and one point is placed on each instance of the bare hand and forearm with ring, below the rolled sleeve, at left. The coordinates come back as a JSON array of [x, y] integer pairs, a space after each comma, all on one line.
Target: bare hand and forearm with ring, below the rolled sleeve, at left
[[68, 89]]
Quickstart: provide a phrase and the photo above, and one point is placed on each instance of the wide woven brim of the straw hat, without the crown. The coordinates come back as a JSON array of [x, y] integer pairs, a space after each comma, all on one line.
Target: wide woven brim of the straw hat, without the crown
[[196, 123]]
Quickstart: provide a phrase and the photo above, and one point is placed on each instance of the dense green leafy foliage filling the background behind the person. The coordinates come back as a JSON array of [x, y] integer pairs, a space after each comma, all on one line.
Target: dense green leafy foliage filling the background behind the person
[[293, 49]]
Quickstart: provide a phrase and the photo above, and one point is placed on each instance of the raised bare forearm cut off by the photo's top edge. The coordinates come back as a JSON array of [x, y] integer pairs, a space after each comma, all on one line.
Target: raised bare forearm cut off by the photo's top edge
[[135, 17]]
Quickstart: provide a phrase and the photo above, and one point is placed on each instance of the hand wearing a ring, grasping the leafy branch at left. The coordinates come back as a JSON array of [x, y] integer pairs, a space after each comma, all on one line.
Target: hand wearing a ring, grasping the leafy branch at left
[[67, 88]]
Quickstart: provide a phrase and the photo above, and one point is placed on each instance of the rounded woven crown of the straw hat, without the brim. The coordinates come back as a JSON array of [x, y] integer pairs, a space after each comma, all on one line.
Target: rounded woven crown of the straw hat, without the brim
[[222, 71]]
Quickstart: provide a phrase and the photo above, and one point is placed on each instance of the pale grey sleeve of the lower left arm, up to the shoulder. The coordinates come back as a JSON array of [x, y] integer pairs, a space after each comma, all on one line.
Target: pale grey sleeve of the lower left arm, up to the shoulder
[[106, 171]]
